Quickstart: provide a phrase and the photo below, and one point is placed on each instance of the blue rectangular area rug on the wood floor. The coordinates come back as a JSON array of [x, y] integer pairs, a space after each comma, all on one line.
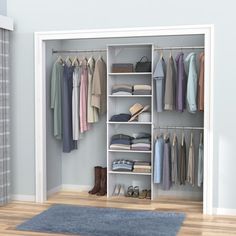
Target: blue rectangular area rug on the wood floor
[[94, 221]]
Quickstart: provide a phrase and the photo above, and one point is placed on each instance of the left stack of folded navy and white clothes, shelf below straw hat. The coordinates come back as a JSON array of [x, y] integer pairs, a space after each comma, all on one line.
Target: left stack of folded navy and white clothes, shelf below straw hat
[[120, 142]]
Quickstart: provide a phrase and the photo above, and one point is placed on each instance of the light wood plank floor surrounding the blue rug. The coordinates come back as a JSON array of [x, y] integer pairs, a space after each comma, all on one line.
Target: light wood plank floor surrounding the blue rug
[[194, 224]]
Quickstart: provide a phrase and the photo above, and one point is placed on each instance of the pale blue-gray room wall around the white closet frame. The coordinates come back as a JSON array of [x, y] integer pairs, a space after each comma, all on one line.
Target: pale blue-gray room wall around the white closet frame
[[30, 16]]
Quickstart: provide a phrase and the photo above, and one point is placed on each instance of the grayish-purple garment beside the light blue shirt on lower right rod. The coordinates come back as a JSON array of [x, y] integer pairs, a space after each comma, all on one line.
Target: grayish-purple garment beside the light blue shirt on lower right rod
[[166, 174]]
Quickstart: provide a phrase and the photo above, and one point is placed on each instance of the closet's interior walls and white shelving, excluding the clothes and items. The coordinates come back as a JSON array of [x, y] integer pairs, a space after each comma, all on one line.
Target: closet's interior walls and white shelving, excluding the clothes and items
[[74, 170]]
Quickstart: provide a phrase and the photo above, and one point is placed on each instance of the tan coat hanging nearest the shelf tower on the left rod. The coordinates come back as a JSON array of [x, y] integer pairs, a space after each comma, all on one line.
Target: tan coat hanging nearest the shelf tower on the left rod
[[99, 86]]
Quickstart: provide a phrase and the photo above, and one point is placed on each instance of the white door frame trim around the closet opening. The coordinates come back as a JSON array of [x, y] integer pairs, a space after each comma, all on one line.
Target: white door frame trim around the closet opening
[[40, 94]]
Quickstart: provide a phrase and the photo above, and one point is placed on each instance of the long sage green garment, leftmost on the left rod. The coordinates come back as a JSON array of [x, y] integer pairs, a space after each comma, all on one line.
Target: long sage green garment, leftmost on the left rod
[[56, 96]]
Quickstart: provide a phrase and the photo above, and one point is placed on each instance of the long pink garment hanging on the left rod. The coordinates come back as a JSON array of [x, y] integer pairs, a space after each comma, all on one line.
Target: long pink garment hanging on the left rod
[[84, 125]]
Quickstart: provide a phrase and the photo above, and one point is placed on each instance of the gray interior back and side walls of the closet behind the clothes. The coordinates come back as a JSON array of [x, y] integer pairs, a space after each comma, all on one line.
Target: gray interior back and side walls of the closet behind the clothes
[[76, 168]]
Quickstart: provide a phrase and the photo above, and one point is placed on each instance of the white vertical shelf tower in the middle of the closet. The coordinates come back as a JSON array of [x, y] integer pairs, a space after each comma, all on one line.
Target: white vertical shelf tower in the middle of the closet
[[128, 53]]
